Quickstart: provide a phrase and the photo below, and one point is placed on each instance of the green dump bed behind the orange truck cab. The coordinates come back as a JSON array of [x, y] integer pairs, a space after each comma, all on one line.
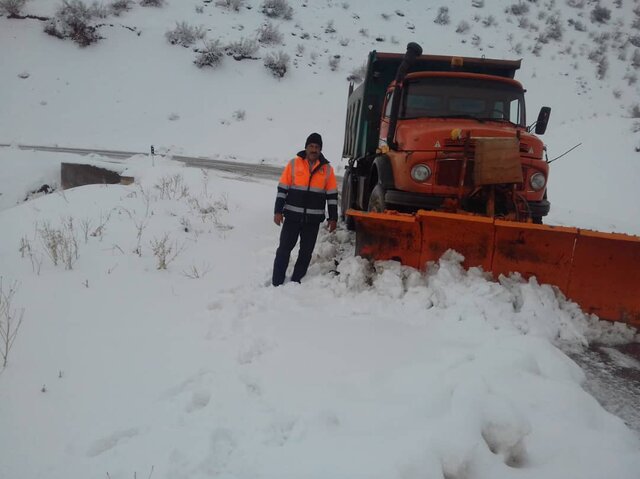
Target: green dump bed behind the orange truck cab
[[365, 102]]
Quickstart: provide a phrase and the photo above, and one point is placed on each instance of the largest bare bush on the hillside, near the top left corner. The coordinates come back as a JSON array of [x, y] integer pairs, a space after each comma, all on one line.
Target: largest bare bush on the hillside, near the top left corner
[[74, 20]]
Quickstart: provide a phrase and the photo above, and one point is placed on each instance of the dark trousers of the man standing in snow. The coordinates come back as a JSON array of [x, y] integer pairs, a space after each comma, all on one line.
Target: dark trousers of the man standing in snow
[[291, 230]]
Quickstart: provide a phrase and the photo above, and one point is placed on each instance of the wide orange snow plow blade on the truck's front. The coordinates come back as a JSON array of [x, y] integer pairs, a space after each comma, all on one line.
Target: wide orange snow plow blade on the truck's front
[[599, 271]]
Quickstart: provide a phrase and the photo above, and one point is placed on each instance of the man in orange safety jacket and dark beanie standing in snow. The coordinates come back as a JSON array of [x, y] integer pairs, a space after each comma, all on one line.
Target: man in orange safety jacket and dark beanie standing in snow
[[306, 183]]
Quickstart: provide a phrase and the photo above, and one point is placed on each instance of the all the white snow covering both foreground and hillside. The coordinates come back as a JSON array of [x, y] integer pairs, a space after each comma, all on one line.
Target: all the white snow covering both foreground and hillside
[[202, 369]]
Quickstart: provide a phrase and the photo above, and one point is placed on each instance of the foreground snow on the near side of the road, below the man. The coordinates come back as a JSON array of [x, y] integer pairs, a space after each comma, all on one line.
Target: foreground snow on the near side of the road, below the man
[[202, 370]]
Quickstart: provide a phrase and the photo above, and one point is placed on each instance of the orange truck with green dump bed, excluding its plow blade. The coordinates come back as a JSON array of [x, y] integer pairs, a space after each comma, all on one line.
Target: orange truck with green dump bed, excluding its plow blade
[[410, 141]]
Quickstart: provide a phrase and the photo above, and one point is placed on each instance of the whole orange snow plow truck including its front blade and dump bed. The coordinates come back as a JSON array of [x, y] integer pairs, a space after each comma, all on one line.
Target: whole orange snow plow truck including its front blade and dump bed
[[440, 157]]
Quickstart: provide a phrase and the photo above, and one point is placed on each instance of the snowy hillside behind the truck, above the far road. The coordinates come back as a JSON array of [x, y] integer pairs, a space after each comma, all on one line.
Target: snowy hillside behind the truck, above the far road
[[130, 91]]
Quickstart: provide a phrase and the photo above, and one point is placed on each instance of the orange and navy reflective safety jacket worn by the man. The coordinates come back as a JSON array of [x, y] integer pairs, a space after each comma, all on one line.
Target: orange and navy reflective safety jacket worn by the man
[[303, 190]]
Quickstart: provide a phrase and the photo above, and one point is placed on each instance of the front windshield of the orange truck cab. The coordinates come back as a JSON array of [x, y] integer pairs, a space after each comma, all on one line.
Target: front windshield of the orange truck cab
[[463, 98]]
